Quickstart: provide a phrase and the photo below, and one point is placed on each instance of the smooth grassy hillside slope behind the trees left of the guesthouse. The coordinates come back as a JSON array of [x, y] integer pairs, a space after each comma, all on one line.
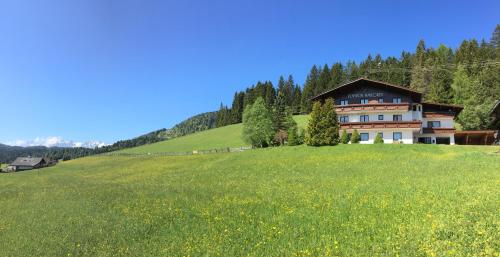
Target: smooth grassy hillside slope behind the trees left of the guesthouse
[[228, 136]]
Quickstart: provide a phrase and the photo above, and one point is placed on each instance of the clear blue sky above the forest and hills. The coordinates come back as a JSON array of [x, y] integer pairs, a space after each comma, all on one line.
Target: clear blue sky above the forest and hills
[[114, 69]]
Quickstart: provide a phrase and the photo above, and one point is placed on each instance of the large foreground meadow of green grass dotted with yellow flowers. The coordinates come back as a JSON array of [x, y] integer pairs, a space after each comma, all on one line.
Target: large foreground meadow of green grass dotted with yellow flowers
[[347, 200]]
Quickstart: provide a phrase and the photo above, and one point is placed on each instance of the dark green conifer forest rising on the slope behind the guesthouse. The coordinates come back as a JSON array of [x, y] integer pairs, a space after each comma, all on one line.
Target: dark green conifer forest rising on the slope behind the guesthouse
[[467, 76]]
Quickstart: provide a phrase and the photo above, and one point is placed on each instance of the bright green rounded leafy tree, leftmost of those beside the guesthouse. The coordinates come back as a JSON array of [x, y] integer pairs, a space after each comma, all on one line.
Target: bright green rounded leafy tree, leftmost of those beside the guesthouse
[[257, 124]]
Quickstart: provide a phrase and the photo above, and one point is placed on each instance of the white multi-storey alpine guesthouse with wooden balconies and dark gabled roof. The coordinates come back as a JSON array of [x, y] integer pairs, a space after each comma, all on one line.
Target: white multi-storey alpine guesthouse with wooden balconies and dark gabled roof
[[396, 112]]
